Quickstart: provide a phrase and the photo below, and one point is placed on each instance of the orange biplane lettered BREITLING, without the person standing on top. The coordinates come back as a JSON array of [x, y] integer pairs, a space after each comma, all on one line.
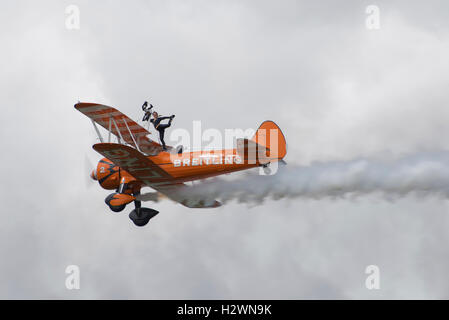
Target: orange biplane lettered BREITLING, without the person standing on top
[[136, 161]]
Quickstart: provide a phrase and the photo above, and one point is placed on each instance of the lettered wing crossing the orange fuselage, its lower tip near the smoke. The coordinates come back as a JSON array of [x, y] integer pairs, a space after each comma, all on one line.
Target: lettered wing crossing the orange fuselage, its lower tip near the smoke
[[145, 170]]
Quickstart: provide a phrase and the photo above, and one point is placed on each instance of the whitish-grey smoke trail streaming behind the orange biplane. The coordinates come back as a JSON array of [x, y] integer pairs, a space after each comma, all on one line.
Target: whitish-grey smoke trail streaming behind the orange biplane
[[419, 174]]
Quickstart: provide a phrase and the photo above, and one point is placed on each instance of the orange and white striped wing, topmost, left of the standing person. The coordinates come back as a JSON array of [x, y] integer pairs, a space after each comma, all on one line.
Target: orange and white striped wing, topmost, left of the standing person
[[120, 125]]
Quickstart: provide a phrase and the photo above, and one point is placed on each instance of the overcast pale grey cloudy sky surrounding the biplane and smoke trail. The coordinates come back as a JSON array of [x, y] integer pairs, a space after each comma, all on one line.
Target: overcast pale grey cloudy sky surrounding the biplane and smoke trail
[[336, 89]]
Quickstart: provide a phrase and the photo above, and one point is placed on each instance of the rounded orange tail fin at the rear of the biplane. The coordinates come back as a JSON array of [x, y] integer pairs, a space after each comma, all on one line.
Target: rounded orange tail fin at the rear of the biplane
[[270, 136]]
